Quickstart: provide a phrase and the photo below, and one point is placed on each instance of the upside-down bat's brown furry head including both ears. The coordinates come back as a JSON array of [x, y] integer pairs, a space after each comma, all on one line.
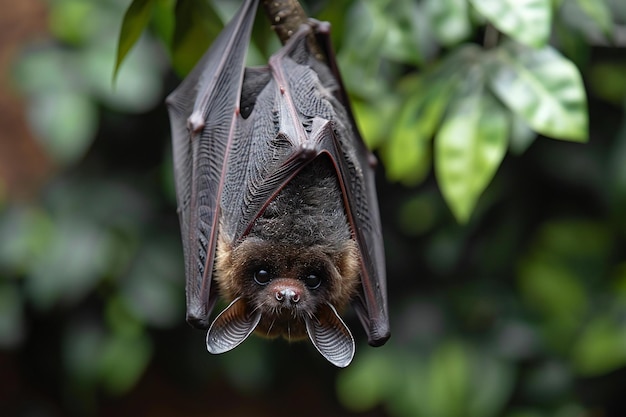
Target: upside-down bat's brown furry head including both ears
[[288, 291]]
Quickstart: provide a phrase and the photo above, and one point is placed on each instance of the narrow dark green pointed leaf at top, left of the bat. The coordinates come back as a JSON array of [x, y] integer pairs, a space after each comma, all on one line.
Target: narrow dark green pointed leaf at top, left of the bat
[[135, 20]]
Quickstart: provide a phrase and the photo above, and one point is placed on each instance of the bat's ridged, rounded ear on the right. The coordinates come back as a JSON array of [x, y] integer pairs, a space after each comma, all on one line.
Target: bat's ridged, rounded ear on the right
[[330, 336]]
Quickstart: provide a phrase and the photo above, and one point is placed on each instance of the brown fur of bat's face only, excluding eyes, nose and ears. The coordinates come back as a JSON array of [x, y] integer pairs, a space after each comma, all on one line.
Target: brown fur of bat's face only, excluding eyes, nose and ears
[[288, 264]]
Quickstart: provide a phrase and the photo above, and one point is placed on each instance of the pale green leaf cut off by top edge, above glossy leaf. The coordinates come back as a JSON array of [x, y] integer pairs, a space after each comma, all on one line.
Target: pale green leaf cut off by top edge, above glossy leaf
[[527, 21]]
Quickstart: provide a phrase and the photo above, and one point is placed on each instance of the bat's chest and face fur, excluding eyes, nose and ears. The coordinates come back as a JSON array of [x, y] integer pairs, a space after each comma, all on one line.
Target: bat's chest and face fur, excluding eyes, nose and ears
[[303, 230]]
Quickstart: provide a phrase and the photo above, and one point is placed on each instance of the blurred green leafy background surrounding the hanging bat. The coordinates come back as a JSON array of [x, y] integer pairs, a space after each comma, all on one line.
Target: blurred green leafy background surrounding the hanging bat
[[518, 312]]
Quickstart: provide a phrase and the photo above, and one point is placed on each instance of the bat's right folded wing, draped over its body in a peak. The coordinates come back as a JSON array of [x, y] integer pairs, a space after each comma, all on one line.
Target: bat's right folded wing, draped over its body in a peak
[[300, 112]]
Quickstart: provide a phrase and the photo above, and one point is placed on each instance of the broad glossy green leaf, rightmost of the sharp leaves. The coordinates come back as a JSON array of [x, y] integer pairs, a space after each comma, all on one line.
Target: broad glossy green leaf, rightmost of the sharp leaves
[[543, 88]]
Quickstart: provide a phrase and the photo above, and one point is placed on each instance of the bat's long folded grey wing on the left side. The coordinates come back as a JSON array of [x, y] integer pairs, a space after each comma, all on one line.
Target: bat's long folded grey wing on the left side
[[202, 112]]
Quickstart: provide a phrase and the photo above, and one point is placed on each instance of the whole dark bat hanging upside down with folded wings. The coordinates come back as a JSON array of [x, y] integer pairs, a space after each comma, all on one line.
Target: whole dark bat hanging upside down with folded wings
[[276, 196]]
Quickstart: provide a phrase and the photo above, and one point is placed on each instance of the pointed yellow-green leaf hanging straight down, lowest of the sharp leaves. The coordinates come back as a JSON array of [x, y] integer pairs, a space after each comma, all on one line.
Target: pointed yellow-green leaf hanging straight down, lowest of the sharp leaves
[[470, 145]]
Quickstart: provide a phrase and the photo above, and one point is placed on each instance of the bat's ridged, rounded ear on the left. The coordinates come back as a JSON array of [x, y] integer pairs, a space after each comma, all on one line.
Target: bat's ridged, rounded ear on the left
[[231, 327]]
